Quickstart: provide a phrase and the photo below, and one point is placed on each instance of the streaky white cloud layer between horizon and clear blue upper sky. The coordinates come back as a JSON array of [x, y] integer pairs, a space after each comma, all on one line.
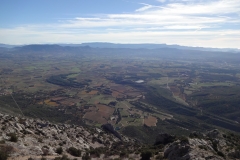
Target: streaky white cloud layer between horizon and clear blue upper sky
[[188, 22]]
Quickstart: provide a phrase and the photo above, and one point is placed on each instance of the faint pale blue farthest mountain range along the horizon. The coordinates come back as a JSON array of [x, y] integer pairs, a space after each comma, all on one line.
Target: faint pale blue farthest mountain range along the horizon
[[137, 46]]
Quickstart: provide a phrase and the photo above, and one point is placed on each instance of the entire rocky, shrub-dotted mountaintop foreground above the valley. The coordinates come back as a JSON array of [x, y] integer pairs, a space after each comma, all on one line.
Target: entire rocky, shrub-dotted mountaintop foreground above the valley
[[26, 138]]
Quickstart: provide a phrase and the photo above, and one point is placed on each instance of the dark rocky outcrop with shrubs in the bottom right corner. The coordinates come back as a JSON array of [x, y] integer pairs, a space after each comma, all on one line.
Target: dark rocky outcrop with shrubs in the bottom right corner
[[213, 145]]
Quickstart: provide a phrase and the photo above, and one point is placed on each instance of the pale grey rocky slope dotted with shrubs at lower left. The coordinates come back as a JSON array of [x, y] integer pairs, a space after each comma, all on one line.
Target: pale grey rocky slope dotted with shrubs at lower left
[[35, 138]]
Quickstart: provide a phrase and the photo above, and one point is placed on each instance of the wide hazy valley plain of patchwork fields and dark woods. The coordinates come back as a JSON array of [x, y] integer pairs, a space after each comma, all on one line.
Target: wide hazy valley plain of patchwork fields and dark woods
[[140, 92]]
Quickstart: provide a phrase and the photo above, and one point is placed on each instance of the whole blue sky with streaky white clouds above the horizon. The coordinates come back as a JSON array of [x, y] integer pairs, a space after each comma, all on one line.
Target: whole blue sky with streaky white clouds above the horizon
[[207, 23]]
